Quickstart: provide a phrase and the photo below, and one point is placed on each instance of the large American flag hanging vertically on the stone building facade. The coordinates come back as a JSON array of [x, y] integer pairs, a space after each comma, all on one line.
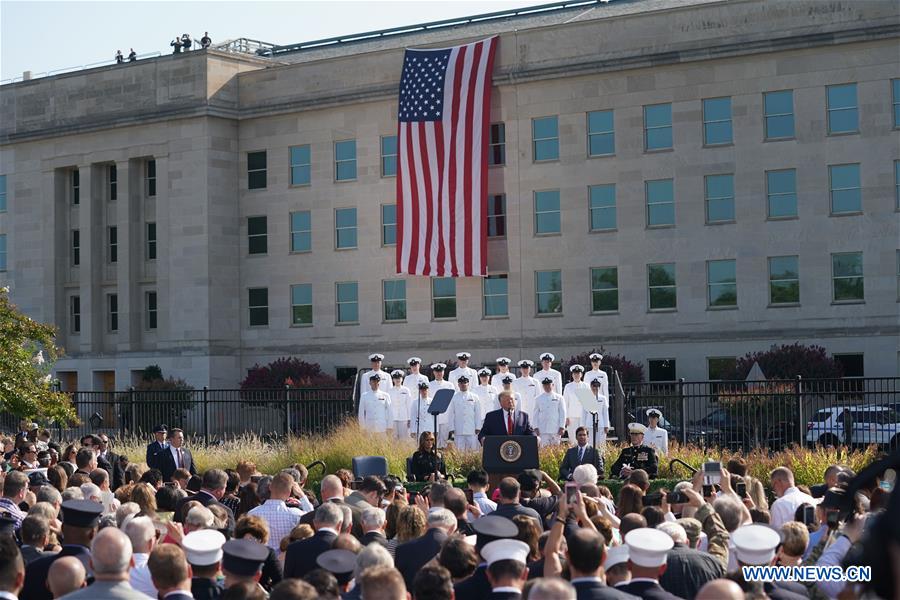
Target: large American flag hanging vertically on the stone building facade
[[444, 129]]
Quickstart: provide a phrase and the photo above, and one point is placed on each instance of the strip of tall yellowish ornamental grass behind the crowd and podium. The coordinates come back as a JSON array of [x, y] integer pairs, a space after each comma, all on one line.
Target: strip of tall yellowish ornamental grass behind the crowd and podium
[[338, 448]]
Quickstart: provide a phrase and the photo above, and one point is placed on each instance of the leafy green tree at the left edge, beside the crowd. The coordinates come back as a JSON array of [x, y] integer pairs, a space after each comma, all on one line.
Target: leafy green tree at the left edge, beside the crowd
[[25, 387]]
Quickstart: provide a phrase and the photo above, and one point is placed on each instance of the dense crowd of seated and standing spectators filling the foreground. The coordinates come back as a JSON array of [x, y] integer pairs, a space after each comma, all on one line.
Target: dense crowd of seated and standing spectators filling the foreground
[[92, 525]]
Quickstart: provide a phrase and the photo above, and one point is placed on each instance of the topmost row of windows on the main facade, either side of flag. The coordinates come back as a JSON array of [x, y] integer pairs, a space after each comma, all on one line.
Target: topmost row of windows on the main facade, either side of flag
[[842, 117]]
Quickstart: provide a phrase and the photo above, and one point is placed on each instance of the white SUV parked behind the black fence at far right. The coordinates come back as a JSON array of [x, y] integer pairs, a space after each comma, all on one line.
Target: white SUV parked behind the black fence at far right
[[854, 425]]
